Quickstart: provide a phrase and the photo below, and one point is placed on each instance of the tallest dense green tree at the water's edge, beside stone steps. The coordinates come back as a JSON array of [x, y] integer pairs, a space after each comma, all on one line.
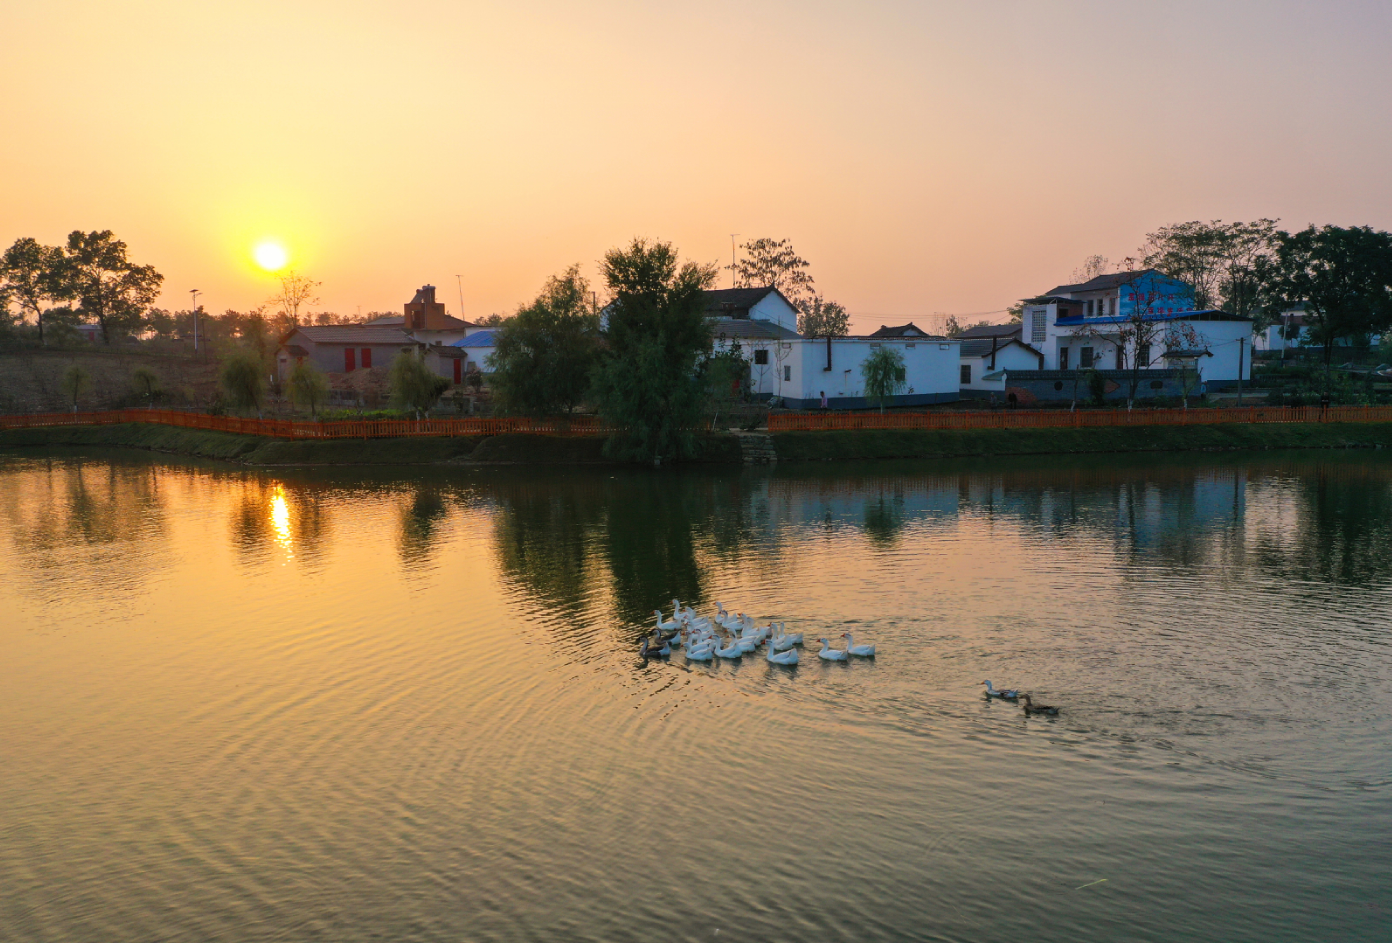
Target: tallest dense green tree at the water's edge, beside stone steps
[[656, 332]]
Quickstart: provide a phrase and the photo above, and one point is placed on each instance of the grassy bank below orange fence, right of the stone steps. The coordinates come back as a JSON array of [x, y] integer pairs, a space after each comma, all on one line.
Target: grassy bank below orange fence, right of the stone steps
[[944, 444]]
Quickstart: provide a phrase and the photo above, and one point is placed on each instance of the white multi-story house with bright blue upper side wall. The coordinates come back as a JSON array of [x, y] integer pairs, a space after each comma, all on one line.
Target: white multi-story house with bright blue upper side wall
[[1137, 318]]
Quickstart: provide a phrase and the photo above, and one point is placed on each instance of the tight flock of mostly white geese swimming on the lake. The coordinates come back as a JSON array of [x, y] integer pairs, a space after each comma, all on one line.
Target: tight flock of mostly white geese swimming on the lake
[[734, 636]]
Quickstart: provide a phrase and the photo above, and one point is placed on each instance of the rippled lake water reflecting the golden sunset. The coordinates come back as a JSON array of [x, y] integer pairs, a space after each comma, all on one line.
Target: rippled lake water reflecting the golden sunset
[[406, 704]]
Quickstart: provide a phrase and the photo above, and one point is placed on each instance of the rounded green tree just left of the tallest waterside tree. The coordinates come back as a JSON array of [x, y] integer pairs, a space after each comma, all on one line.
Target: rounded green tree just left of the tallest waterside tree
[[544, 356]]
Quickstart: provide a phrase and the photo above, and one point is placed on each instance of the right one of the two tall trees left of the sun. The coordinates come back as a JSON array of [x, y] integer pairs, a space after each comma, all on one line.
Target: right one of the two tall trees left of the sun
[[109, 288]]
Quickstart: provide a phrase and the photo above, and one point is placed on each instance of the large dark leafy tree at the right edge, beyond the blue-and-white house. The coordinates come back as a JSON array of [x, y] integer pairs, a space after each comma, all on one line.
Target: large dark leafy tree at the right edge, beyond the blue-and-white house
[[1344, 276]]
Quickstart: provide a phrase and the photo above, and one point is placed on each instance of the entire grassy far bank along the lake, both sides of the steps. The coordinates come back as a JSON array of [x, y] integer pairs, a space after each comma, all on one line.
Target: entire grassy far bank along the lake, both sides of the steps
[[725, 449]]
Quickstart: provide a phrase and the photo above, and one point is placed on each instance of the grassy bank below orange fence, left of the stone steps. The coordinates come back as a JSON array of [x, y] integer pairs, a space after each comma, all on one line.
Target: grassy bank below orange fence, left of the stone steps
[[257, 451]]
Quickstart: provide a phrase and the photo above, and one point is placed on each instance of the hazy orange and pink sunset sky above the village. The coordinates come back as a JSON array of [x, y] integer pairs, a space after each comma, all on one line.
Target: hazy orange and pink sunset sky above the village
[[925, 157]]
